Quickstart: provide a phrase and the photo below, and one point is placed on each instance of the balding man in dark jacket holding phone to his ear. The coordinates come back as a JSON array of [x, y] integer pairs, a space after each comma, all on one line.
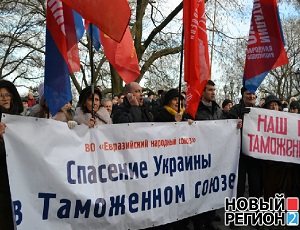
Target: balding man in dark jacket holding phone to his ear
[[133, 108]]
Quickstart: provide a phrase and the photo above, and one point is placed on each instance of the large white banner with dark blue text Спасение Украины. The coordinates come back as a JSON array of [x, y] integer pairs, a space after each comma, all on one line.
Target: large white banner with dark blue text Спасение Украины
[[116, 177]]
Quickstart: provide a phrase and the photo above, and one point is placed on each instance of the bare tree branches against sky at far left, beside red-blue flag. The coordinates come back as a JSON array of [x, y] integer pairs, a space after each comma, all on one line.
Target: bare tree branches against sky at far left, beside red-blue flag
[[22, 41]]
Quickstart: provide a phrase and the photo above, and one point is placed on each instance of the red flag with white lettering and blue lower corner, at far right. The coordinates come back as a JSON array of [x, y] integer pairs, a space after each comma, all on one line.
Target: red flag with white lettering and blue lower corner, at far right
[[265, 50]]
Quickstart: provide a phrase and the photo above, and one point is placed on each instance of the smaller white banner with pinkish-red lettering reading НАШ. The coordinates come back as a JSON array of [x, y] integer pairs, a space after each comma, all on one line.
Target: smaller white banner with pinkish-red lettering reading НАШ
[[272, 135]]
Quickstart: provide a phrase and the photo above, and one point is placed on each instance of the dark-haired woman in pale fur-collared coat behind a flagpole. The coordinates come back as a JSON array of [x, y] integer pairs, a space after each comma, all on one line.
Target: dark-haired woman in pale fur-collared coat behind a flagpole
[[83, 114]]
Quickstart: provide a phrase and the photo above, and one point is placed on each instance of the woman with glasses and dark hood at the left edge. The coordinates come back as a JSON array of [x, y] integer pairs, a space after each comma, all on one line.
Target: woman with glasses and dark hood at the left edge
[[11, 103]]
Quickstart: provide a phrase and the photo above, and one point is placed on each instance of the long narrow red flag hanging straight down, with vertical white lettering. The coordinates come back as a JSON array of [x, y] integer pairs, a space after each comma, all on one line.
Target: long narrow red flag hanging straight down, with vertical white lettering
[[196, 59]]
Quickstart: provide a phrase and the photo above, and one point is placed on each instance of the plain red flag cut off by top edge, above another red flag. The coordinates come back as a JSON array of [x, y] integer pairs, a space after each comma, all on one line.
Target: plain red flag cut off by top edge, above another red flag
[[111, 17]]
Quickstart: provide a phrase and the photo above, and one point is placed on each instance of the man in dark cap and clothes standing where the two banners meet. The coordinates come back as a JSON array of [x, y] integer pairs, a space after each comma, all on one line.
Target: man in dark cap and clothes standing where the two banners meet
[[247, 165]]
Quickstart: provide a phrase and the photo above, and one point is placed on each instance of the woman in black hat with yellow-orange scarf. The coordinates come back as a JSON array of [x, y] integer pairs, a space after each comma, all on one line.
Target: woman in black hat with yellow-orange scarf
[[169, 112]]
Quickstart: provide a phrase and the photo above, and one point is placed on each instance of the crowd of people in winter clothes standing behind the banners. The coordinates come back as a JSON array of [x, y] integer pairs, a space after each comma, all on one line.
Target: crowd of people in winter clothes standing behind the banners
[[265, 178]]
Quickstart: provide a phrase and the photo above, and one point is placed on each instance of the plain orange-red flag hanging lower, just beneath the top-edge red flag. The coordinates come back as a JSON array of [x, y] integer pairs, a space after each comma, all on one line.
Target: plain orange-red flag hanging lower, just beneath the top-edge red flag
[[122, 56]]
